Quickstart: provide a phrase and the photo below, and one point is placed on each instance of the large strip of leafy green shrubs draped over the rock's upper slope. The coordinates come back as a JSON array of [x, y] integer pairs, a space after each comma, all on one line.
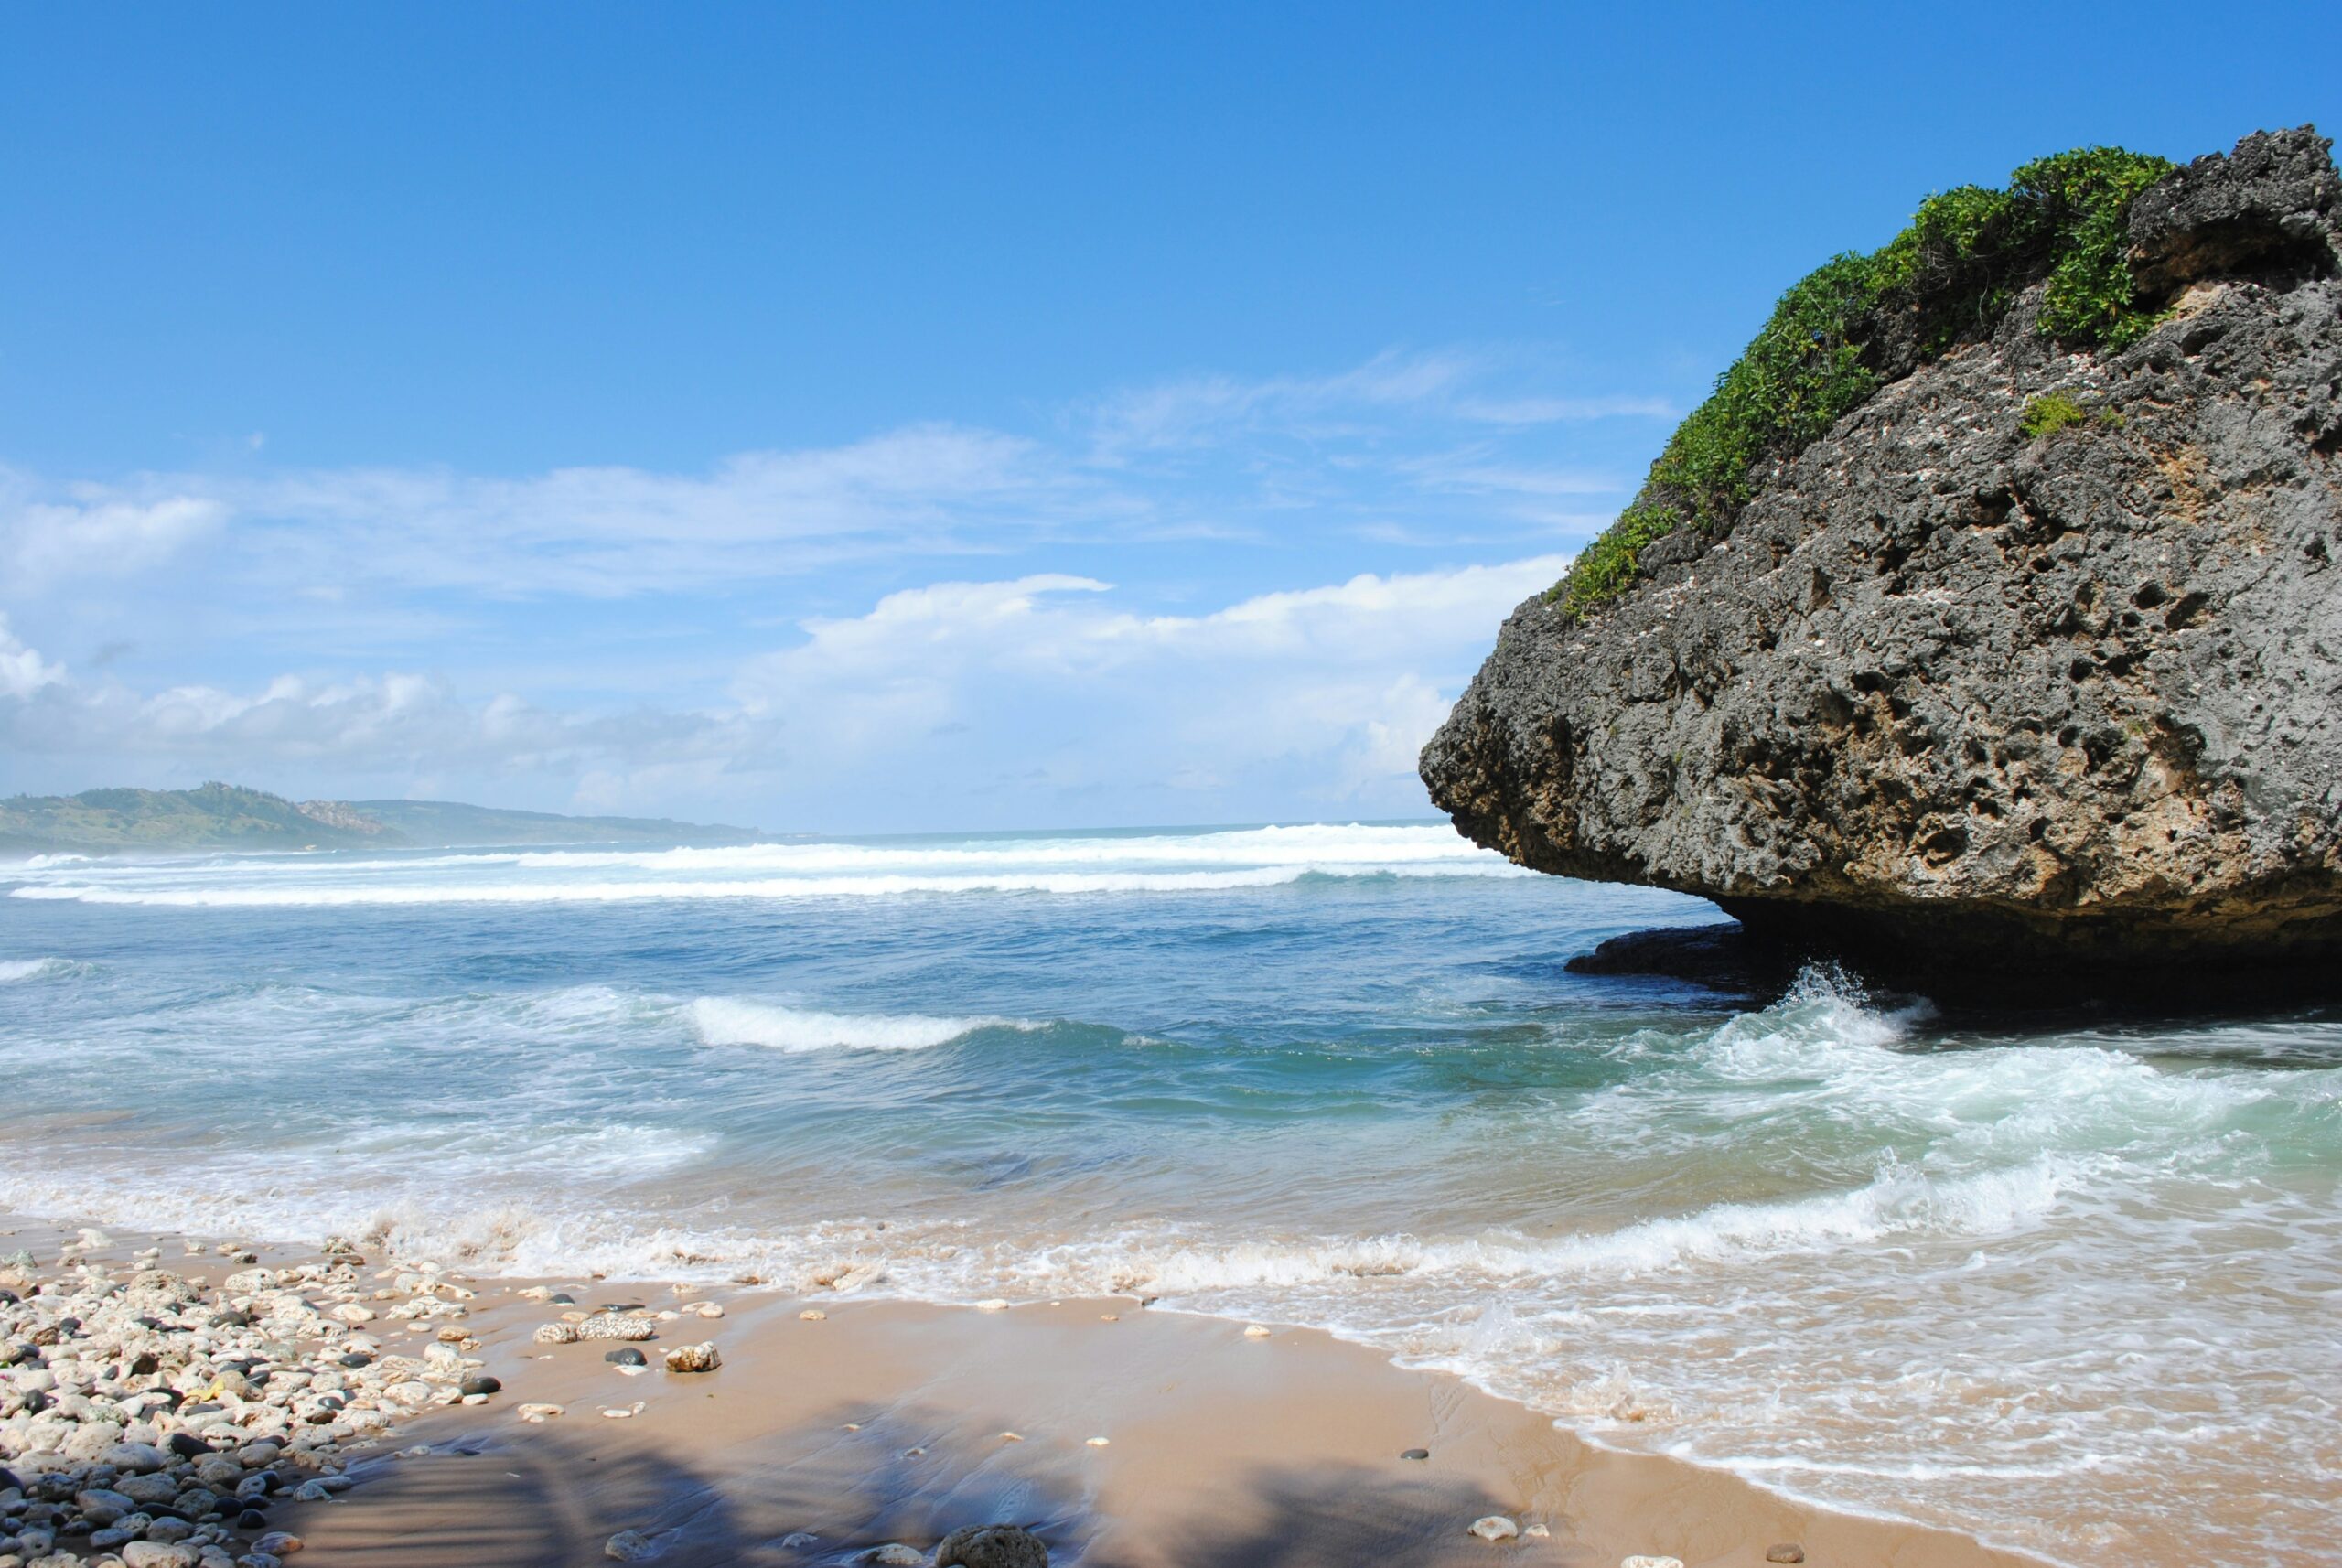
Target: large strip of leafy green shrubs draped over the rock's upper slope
[[1861, 322]]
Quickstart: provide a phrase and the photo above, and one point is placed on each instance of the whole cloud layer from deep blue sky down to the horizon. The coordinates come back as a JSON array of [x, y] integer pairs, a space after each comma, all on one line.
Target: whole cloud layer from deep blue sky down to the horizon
[[1118, 617]]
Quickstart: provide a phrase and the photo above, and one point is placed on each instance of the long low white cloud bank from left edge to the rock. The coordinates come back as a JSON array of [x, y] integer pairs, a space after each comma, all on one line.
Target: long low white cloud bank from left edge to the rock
[[1046, 689]]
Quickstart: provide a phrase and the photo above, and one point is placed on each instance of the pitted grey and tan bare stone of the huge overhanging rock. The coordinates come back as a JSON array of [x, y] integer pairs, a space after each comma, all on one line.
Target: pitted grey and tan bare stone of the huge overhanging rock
[[1952, 694]]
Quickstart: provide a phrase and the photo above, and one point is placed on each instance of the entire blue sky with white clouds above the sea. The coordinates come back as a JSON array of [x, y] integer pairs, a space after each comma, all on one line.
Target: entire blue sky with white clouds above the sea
[[896, 418]]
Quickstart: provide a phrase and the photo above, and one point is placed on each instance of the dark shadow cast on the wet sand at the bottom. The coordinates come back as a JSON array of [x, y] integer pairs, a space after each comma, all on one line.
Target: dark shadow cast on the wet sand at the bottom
[[821, 1497]]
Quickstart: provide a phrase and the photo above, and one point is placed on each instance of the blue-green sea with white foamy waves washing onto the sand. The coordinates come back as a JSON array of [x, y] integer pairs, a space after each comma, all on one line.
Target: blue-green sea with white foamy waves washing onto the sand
[[2076, 1286]]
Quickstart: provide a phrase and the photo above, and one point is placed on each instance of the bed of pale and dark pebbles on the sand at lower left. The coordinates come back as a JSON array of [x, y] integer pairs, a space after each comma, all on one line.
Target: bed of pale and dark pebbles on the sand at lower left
[[153, 1422]]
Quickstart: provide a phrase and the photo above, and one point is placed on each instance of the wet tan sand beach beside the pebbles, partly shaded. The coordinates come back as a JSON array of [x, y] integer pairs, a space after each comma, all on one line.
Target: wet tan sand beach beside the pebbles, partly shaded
[[872, 1424]]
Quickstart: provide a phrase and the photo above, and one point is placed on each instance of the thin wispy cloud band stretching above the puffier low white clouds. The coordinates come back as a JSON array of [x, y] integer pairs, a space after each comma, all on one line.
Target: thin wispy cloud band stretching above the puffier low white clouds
[[1196, 458]]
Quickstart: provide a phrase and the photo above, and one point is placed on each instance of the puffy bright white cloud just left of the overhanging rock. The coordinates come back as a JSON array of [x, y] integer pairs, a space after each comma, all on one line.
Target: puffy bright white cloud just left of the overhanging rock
[[1053, 675]]
